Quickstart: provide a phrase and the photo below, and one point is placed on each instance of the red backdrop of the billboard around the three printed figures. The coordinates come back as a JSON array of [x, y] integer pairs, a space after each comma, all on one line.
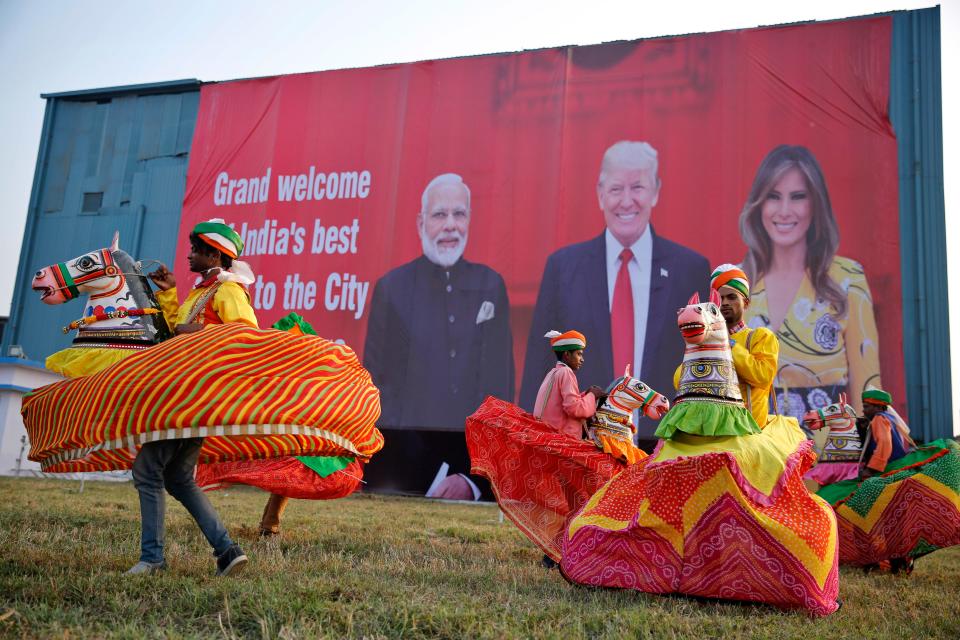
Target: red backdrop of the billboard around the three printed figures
[[527, 132]]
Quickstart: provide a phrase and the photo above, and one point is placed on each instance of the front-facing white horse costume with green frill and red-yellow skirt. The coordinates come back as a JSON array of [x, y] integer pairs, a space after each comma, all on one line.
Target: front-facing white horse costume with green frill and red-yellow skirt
[[719, 509]]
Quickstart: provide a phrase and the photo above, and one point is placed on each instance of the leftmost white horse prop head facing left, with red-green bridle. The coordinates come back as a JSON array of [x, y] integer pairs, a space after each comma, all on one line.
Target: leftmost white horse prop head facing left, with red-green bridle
[[120, 304]]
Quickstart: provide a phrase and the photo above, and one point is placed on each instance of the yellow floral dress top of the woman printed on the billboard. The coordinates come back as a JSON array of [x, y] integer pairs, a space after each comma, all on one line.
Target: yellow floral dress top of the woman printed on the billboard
[[815, 351]]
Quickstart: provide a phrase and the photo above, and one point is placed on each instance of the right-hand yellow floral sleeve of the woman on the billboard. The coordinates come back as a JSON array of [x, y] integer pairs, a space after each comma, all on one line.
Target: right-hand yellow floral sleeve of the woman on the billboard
[[861, 343]]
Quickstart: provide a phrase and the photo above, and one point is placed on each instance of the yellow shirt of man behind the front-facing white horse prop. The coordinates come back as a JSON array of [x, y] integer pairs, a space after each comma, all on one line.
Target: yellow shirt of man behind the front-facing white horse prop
[[755, 368]]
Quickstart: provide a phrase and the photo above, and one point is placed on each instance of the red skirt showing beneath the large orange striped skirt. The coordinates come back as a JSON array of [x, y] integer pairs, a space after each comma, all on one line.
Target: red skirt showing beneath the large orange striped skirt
[[287, 477]]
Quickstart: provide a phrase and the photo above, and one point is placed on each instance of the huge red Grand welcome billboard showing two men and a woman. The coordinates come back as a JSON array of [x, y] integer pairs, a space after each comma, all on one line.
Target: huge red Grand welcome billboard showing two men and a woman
[[770, 147]]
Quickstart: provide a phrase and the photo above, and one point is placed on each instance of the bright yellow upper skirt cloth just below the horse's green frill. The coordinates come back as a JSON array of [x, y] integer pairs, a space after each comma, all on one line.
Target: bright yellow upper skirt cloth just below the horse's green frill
[[761, 457]]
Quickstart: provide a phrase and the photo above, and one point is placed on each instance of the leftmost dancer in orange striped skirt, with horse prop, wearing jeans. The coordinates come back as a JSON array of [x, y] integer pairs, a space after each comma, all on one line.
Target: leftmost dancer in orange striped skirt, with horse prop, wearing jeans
[[291, 413]]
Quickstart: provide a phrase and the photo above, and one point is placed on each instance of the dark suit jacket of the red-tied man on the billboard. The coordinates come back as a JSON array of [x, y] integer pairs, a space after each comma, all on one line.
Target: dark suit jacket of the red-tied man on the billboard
[[573, 295]]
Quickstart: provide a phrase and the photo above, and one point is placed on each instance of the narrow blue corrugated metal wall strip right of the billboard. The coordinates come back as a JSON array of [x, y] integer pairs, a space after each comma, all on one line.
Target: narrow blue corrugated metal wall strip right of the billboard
[[915, 109]]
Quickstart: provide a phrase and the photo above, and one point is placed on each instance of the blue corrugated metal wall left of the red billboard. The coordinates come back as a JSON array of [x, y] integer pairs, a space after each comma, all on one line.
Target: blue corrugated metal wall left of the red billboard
[[109, 161]]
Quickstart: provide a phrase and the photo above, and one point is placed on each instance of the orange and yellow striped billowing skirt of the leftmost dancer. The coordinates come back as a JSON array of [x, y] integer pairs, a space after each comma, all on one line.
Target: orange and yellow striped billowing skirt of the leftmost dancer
[[251, 393]]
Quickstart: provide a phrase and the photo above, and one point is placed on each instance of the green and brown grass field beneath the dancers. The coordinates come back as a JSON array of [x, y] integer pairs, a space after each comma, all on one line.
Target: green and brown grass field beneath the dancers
[[370, 566]]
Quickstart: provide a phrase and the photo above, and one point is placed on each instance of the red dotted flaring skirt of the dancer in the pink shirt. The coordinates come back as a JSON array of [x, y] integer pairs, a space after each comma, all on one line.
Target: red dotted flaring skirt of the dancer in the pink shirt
[[541, 478]]
